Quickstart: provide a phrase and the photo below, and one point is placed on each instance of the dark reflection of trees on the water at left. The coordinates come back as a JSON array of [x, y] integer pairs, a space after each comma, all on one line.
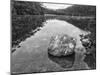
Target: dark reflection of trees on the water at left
[[22, 27]]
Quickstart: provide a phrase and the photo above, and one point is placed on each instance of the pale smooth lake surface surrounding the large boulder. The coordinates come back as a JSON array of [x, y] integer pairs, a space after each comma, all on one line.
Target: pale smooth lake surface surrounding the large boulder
[[32, 55]]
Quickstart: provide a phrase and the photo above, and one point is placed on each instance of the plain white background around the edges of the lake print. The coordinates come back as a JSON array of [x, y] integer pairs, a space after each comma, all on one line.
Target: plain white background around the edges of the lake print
[[5, 37]]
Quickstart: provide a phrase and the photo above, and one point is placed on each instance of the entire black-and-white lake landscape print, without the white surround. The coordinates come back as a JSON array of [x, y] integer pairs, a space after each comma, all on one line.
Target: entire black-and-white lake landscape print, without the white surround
[[52, 37]]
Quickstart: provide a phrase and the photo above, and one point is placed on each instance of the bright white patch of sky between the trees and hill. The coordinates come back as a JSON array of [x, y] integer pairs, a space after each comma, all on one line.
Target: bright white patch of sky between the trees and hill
[[55, 6]]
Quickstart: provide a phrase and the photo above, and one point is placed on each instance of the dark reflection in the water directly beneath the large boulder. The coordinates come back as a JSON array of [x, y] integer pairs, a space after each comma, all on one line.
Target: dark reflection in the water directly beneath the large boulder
[[64, 61]]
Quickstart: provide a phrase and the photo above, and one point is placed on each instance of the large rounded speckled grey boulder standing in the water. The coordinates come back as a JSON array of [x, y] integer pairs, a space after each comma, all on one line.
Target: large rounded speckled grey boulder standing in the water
[[61, 45]]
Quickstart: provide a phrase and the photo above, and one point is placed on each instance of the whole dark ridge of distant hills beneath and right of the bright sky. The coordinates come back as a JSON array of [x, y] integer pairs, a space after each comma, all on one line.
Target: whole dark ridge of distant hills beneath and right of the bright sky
[[75, 10]]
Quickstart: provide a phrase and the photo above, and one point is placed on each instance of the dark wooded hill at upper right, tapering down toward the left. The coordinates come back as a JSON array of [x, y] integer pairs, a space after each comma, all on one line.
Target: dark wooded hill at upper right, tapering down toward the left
[[79, 10]]
